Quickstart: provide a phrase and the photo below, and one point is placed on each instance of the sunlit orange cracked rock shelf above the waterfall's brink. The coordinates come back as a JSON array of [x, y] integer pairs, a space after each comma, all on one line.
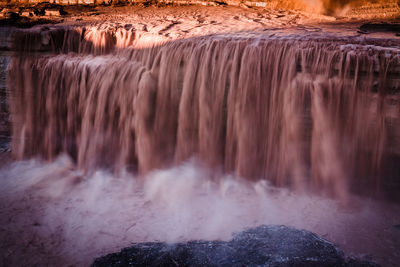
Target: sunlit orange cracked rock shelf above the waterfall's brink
[[176, 22]]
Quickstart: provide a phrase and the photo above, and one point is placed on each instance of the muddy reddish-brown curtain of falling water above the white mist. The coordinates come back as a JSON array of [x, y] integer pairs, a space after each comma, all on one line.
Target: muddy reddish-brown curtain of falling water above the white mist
[[295, 110]]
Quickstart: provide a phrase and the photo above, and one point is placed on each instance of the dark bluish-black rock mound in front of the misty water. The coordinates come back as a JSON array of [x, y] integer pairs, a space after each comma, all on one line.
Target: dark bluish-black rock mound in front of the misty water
[[261, 246]]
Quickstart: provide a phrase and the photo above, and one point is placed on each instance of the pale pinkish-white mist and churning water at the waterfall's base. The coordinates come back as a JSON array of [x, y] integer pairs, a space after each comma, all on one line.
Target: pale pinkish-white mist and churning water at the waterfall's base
[[60, 216]]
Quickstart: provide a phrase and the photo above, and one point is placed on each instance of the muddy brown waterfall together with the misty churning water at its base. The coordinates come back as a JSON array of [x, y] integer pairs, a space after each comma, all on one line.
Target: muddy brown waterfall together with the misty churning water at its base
[[146, 139]]
